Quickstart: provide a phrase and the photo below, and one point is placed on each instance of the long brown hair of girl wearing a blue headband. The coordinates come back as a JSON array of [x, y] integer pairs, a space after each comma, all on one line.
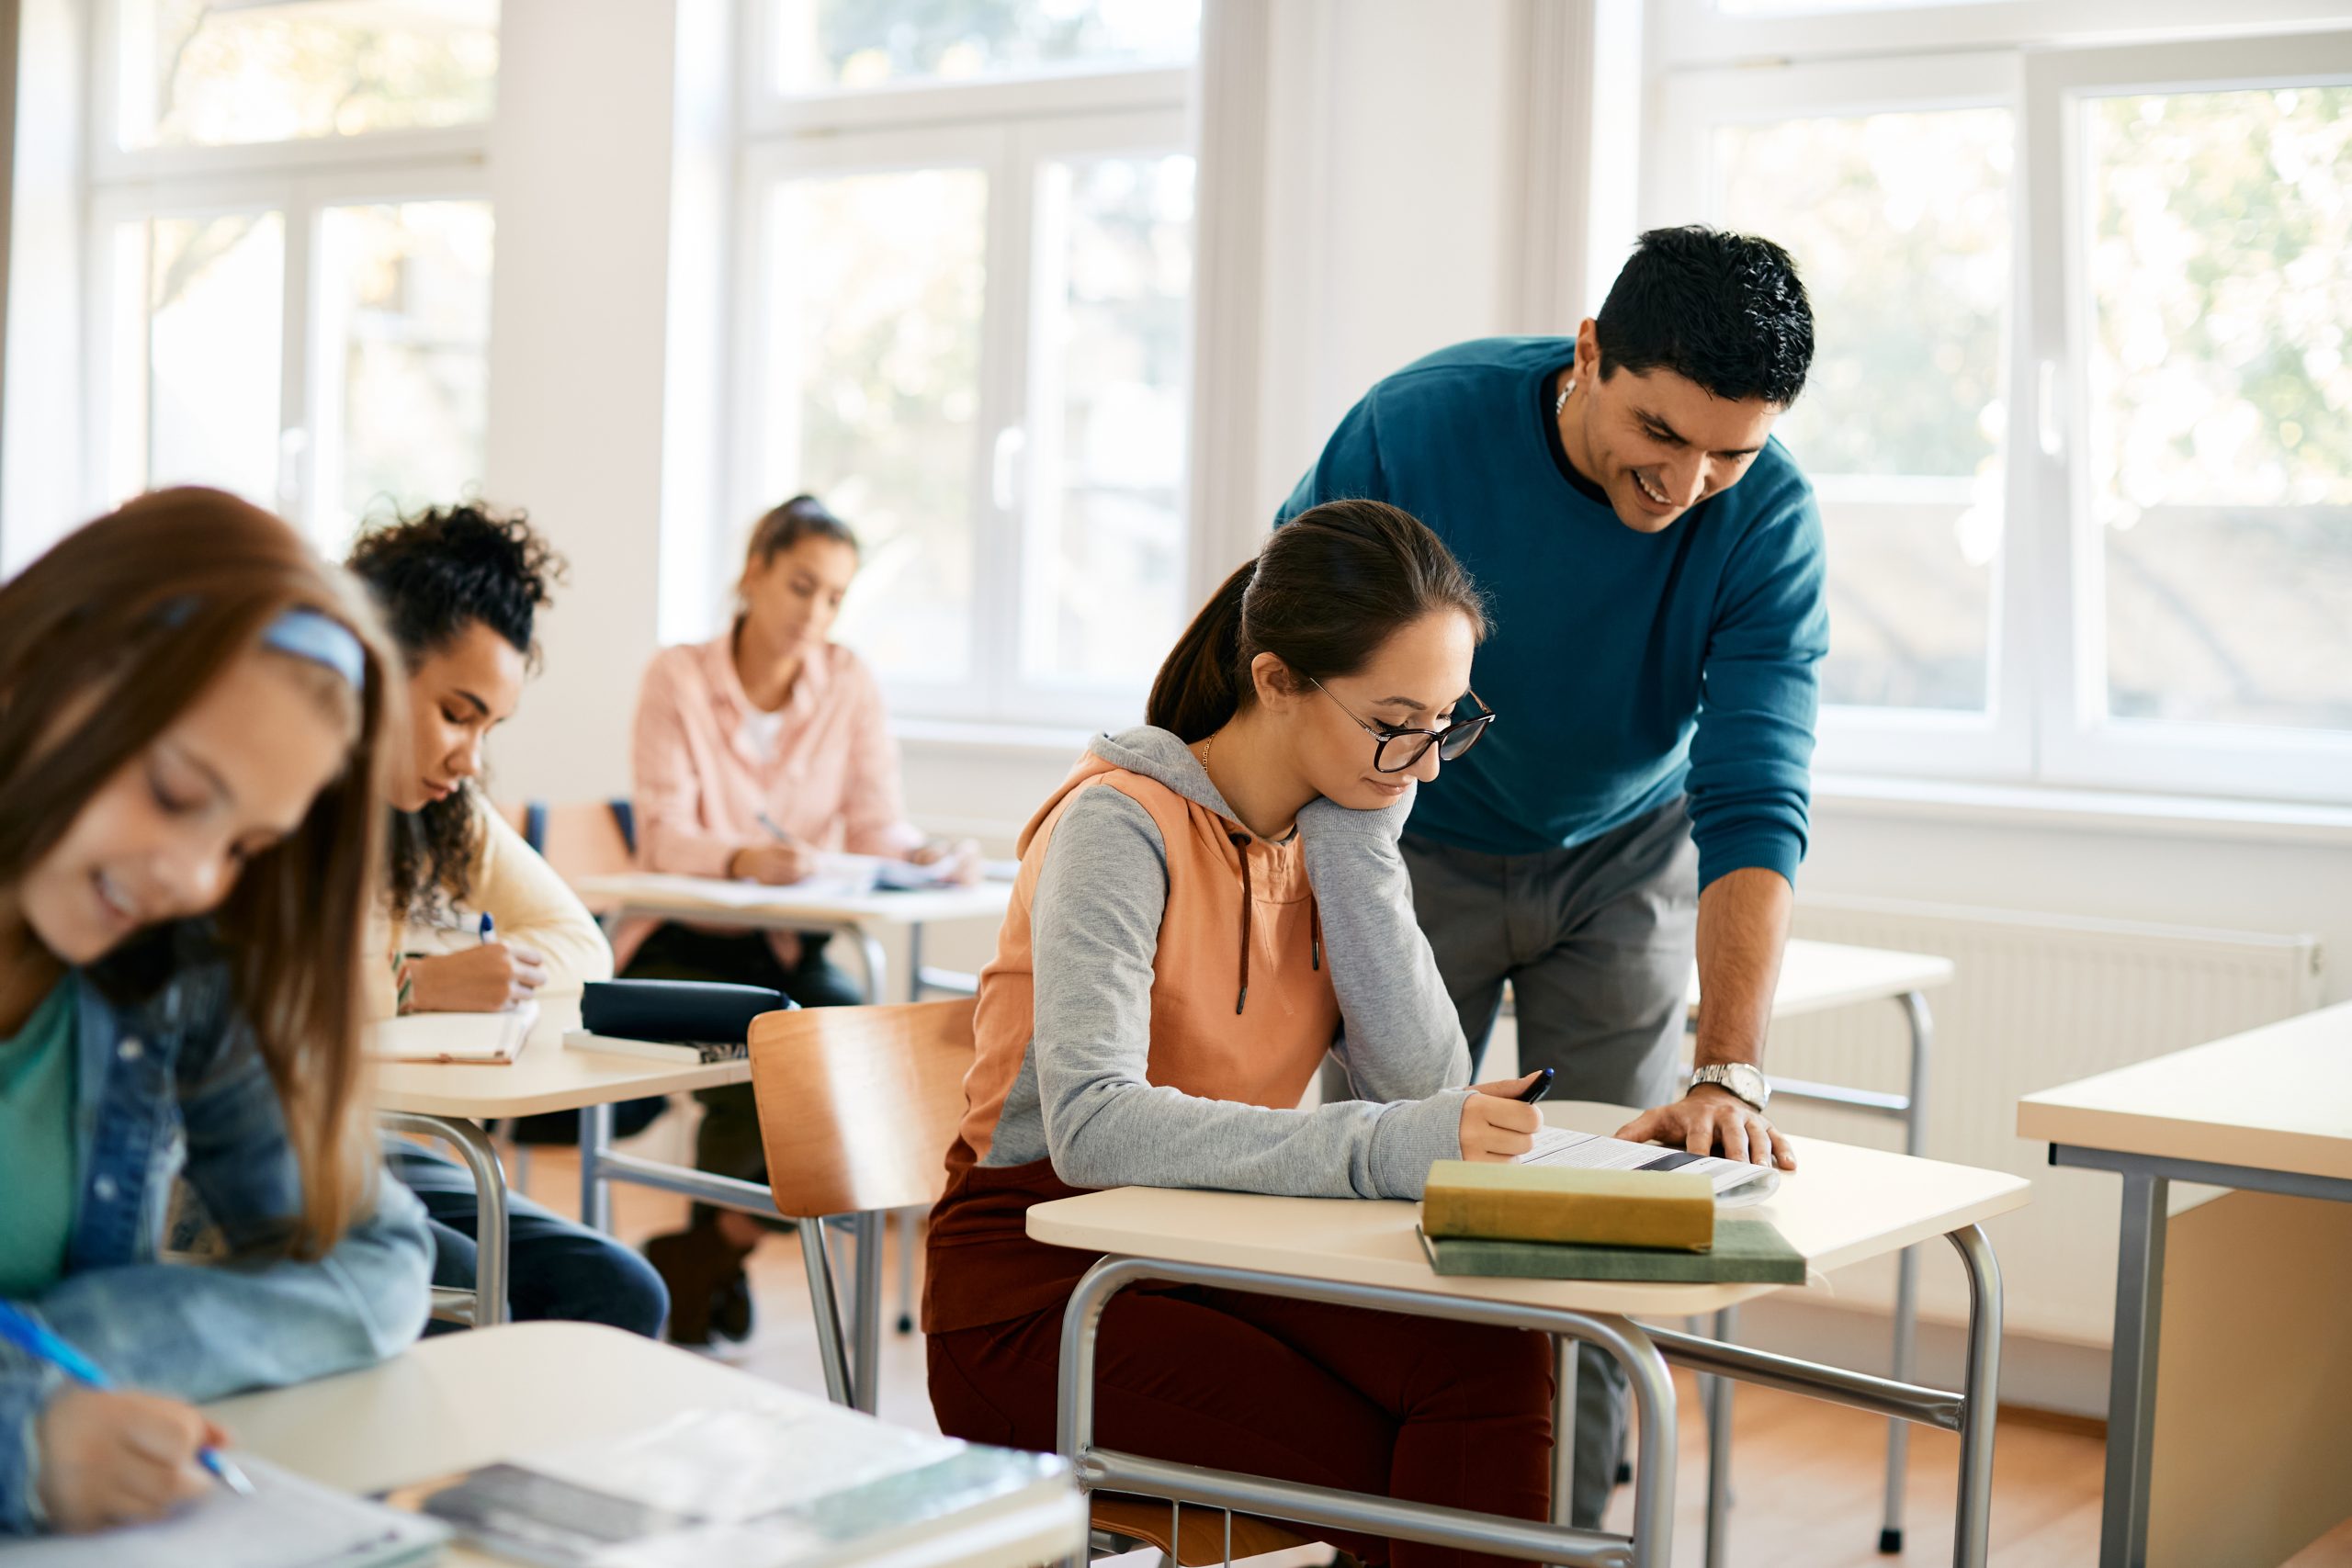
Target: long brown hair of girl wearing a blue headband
[[105, 643]]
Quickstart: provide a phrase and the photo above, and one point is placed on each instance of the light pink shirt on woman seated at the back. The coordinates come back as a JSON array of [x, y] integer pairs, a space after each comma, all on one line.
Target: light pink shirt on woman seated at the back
[[707, 772]]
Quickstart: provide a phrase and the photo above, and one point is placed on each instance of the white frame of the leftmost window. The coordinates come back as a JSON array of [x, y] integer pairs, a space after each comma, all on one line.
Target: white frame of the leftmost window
[[300, 180]]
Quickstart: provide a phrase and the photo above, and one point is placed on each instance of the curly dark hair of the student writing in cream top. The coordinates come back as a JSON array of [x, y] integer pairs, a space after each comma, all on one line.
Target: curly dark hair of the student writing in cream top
[[434, 575]]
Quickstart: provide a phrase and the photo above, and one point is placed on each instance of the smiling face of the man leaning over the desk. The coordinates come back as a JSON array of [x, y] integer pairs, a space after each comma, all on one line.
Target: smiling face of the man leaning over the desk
[[1655, 441]]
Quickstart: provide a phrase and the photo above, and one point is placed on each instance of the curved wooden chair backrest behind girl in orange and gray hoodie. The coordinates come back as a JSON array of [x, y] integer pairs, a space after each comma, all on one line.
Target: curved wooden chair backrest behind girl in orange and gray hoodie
[[860, 1104]]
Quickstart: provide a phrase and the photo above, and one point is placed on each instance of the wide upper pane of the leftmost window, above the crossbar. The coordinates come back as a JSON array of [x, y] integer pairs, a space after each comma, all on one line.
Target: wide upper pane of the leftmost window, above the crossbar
[[229, 72]]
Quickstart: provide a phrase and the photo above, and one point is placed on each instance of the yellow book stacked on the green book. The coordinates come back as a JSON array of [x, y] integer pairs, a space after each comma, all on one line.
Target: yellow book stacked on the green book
[[1506, 1202]]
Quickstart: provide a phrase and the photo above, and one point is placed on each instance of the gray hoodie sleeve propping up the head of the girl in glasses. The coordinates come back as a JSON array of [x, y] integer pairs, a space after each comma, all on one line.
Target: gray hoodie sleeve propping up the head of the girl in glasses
[[1401, 1038]]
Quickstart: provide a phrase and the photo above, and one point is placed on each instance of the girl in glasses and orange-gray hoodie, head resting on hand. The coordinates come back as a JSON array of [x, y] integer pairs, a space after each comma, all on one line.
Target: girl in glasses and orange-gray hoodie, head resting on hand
[[1205, 911]]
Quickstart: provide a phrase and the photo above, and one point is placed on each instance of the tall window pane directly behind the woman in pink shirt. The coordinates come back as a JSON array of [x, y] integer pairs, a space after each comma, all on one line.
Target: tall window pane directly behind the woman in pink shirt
[[874, 361]]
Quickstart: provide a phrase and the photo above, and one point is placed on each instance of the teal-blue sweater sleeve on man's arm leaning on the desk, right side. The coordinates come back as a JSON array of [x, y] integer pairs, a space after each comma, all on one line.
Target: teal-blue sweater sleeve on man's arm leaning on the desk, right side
[[1753, 751]]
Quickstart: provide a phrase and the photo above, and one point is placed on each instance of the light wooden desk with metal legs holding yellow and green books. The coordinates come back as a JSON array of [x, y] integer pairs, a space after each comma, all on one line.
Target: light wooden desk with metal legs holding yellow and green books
[[1843, 1205]]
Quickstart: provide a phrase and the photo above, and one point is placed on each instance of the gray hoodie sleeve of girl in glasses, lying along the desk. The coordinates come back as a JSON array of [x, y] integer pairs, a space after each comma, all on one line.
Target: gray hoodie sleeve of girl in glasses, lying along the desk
[[1095, 927]]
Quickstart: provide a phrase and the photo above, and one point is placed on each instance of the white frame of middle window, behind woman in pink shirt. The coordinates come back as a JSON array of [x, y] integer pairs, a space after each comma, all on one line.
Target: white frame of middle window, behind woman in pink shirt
[[1005, 128]]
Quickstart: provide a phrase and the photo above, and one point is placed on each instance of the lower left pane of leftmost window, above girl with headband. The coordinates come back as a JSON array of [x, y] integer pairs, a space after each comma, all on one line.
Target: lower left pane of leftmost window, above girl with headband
[[199, 309]]
